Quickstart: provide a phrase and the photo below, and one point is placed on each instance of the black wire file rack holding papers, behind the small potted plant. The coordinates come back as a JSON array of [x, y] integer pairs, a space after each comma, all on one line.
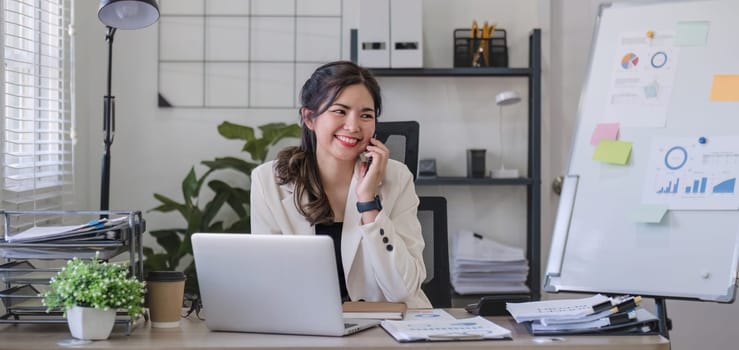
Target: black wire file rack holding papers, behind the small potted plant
[[28, 263]]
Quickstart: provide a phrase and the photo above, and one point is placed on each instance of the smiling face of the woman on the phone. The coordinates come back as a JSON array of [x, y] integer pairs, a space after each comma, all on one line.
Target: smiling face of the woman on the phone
[[344, 130]]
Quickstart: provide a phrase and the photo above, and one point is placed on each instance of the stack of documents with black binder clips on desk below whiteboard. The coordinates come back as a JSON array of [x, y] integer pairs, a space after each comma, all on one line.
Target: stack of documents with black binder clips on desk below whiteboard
[[597, 314]]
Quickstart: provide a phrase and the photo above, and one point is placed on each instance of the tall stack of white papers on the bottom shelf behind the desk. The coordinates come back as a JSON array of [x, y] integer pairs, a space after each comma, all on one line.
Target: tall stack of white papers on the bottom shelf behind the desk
[[481, 265]]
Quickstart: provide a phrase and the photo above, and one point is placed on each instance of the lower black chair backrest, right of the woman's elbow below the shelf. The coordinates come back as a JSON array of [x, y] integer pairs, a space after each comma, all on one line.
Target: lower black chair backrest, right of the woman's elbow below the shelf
[[433, 217]]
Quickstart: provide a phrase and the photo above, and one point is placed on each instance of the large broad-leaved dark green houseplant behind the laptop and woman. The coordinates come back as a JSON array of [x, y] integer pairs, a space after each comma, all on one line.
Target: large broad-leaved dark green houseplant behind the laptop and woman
[[201, 215]]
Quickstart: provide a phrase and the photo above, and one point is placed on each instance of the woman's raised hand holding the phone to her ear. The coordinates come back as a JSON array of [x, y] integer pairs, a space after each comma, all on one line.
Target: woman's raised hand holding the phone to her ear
[[369, 179]]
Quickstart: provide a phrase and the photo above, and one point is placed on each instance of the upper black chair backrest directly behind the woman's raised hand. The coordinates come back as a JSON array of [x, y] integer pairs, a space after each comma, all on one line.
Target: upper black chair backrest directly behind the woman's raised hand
[[402, 140]]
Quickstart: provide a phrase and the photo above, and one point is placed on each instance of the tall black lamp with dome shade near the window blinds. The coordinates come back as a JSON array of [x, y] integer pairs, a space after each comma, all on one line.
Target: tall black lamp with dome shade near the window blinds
[[118, 14]]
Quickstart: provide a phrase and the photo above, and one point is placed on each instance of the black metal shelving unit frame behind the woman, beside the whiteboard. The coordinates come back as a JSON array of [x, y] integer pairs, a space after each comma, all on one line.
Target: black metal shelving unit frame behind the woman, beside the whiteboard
[[533, 180]]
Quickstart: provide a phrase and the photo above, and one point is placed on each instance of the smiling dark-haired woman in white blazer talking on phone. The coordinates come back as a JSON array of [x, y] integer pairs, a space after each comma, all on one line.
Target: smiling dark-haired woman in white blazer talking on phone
[[324, 187]]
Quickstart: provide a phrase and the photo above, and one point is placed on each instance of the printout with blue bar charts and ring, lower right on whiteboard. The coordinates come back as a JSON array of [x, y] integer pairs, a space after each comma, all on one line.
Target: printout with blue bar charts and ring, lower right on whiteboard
[[696, 173]]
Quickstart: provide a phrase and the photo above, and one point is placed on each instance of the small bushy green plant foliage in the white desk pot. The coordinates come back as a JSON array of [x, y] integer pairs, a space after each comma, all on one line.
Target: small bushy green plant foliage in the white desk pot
[[96, 284]]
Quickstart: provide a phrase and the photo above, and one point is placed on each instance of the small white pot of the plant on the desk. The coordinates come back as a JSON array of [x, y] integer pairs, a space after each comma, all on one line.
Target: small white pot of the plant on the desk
[[89, 323]]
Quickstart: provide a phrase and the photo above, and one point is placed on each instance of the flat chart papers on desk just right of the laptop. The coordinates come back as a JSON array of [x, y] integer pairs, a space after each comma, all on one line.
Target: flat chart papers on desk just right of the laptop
[[475, 328]]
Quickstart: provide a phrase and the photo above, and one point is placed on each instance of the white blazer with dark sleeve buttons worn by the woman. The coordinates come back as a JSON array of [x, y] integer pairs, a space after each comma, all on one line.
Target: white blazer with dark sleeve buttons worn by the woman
[[374, 271]]
